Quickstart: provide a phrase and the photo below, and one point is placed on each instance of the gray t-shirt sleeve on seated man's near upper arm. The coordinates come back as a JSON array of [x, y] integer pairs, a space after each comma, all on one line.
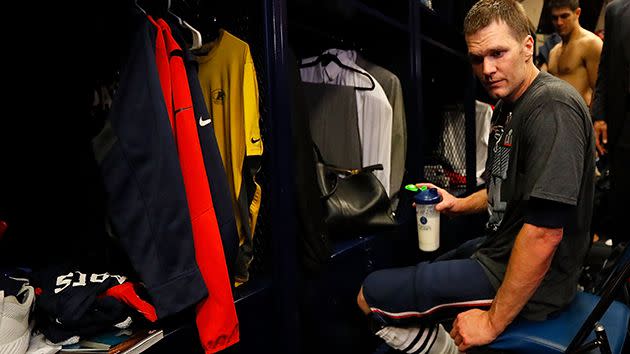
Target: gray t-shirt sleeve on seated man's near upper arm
[[555, 138]]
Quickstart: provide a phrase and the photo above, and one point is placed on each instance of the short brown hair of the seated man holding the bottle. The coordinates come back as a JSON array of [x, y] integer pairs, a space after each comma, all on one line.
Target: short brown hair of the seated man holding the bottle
[[485, 12]]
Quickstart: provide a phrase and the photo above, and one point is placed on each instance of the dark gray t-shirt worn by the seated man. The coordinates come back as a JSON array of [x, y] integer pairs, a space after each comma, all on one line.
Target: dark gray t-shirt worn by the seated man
[[542, 146]]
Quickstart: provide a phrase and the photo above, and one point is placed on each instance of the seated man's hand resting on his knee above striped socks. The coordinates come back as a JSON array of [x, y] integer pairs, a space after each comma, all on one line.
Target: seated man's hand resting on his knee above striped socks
[[473, 328]]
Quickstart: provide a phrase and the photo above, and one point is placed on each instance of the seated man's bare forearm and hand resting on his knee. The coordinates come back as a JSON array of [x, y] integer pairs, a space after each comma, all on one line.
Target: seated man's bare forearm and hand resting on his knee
[[531, 257]]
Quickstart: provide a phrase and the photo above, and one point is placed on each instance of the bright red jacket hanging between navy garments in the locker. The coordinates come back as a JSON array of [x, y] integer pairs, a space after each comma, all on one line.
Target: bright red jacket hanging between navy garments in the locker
[[217, 322]]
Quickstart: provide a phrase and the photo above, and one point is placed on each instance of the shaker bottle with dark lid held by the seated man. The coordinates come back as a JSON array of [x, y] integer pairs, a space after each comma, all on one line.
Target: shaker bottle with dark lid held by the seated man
[[428, 219]]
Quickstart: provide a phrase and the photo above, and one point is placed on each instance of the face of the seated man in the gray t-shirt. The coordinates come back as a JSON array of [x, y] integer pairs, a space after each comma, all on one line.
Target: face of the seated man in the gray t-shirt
[[499, 60]]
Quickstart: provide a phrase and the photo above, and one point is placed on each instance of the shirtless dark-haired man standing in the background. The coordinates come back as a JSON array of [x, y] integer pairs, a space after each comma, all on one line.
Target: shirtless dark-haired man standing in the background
[[576, 58]]
